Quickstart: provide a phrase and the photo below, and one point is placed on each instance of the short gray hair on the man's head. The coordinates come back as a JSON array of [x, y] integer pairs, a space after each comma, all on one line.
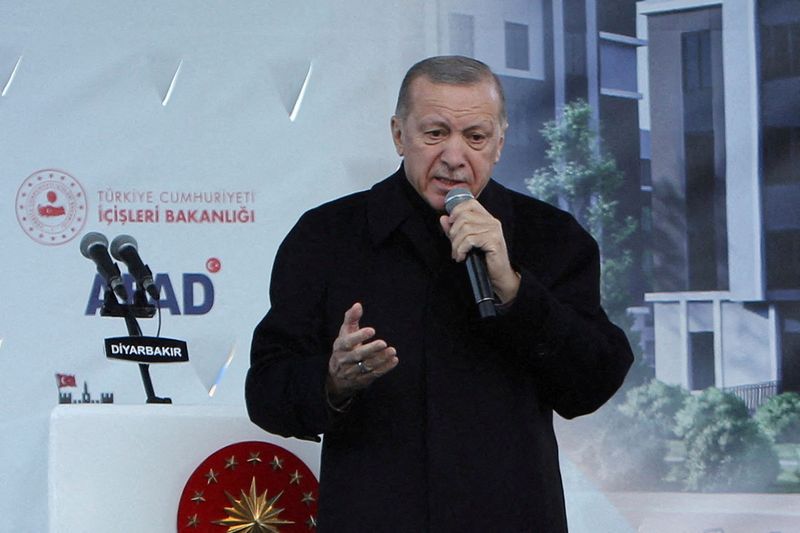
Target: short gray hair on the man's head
[[450, 70]]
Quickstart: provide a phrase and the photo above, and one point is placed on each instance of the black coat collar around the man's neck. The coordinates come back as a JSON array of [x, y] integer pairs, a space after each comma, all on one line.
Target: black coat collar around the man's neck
[[391, 206]]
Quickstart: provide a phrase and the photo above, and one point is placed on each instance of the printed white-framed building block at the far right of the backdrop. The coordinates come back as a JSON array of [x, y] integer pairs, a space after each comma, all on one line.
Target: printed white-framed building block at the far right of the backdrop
[[721, 119]]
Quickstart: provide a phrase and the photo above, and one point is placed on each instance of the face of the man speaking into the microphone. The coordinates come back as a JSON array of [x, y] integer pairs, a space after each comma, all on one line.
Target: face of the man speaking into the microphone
[[451, 138]]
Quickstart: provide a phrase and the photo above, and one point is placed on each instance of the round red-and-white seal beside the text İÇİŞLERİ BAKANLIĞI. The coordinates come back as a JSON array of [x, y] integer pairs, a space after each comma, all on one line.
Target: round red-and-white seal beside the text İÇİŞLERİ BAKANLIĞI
[[51, 207]]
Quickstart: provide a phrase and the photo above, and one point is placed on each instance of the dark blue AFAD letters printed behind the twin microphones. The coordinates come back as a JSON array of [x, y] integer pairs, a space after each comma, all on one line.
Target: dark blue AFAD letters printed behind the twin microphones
[[197, 293]]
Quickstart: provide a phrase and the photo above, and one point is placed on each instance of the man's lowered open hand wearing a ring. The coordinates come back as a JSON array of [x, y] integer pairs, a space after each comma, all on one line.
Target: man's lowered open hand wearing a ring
[[357, 360]]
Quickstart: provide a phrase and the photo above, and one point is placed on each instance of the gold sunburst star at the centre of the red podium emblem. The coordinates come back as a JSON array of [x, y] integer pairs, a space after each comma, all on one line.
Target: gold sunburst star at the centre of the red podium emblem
[[253, 513]]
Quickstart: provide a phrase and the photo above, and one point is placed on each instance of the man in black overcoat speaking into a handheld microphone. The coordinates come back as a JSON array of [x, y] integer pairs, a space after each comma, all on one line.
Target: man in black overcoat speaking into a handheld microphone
[[435, 419]]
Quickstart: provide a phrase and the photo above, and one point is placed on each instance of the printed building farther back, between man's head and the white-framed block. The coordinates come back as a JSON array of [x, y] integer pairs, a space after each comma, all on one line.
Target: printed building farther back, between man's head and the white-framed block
[[548, 53]]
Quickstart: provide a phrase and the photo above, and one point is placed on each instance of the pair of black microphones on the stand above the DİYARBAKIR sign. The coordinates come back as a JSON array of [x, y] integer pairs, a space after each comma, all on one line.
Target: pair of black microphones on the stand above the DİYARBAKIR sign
[[123, 248]]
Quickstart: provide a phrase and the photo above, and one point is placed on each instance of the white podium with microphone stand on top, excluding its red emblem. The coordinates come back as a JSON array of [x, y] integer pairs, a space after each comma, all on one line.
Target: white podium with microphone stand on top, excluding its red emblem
[[123, 468]]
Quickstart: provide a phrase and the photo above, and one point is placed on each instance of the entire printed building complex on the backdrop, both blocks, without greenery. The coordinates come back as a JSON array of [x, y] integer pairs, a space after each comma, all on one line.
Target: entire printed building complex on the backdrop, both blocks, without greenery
[[697, 102]]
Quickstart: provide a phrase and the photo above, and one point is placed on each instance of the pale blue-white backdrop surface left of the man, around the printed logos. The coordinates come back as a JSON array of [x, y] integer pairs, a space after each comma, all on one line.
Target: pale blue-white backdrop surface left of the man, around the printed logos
[[86, 99]]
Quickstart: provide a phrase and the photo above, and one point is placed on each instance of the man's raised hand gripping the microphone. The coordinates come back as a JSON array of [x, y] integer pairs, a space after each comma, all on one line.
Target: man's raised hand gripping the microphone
[[469, 226]]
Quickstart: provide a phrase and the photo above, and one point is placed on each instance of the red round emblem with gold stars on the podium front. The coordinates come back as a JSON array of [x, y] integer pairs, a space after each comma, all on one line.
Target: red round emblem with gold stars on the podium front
[[249, 486]]
